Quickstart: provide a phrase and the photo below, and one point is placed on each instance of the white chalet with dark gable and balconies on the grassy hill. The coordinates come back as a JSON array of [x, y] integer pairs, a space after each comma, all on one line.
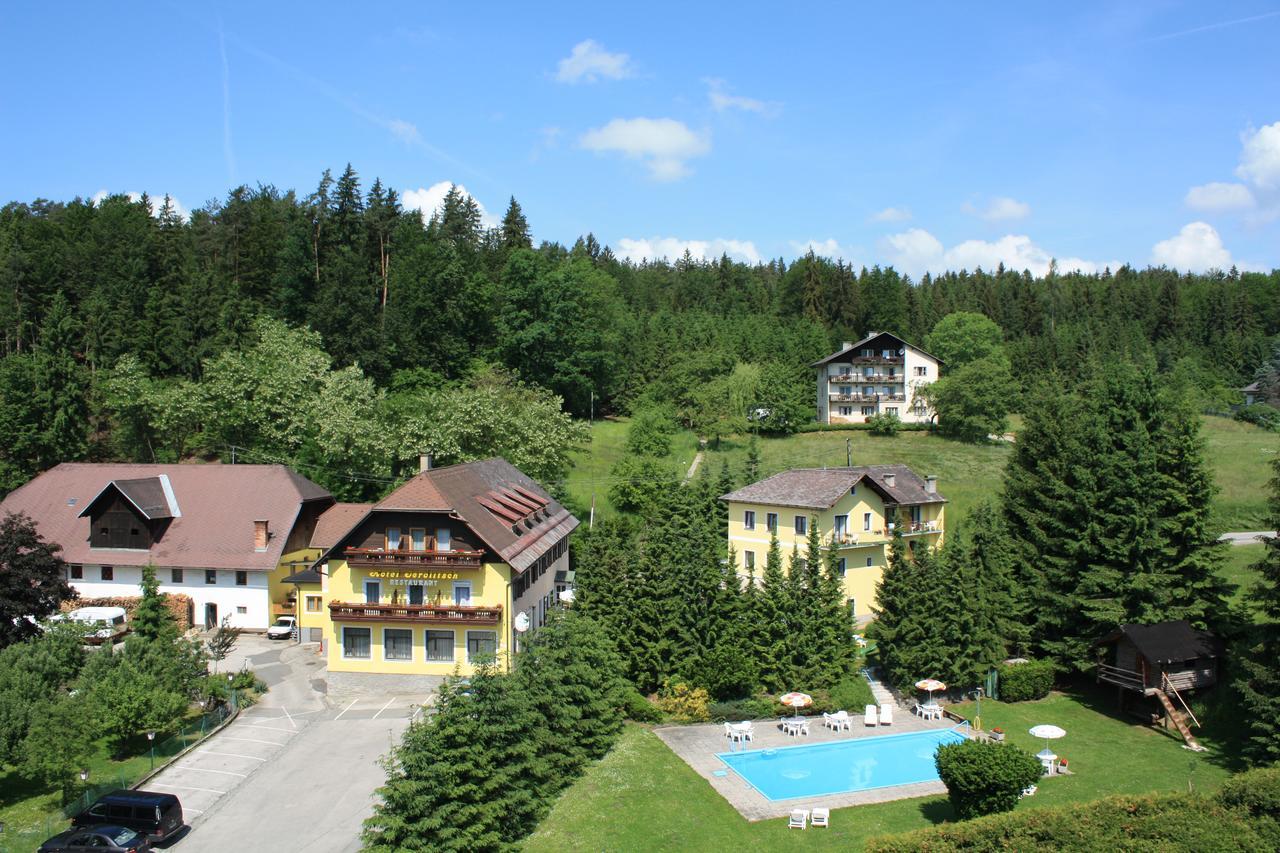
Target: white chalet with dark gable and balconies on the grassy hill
[[880, 375]]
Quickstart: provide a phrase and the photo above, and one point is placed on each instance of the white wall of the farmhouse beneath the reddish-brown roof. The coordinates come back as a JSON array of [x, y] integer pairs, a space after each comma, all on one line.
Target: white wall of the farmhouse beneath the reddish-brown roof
[[254, 597]]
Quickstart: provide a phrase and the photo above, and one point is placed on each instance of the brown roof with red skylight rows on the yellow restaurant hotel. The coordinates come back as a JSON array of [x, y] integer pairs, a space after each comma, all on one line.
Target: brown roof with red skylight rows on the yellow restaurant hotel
[[493, 498]]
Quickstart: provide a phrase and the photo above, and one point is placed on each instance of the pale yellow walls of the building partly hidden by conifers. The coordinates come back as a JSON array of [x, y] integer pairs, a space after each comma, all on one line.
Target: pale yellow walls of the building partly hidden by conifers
[[865, 545]]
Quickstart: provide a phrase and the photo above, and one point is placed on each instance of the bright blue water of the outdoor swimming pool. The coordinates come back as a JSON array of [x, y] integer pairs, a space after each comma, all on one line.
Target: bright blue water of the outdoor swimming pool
[[842, 767]]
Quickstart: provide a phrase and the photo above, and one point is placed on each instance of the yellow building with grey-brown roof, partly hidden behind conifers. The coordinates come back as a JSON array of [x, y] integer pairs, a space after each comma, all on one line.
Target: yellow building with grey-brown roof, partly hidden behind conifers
[[852, 507]]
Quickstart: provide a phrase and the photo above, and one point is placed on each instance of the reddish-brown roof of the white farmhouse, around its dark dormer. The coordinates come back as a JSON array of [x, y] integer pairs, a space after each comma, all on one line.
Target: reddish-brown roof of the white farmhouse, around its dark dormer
[[212, 527]]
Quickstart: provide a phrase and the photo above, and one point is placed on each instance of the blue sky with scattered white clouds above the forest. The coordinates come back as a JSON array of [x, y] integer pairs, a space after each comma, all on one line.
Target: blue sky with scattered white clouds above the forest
[[929, 136]]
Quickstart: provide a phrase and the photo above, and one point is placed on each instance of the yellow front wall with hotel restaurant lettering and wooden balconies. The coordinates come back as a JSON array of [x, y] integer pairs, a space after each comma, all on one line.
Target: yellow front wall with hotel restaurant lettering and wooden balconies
[[490, 589]]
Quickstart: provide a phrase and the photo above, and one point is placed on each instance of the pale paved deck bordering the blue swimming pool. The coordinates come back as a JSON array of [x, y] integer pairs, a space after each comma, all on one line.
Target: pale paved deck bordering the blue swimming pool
[[700, 745]]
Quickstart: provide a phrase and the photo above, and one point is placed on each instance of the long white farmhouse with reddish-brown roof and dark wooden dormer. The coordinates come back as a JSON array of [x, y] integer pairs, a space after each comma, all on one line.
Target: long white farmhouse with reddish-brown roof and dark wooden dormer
[[225, 536]]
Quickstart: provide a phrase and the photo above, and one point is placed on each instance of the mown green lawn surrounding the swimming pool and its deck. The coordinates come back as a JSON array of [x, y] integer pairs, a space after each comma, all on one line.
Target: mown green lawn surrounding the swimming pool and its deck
[[643, 797]]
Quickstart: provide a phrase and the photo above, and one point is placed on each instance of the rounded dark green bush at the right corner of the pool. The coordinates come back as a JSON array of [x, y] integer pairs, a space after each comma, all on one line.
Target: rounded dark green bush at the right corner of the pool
[[985, 778]]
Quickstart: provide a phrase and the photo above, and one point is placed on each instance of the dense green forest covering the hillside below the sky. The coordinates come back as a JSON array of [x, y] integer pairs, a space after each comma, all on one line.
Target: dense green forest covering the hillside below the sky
[[342, 334]]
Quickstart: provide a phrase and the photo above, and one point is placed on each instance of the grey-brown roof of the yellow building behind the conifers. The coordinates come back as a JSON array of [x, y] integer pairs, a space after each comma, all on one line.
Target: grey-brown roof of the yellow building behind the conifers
[[819, 489]]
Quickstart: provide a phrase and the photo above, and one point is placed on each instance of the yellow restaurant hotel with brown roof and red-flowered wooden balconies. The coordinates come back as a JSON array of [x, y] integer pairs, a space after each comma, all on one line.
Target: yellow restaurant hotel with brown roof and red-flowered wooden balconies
[[445, 572]]
